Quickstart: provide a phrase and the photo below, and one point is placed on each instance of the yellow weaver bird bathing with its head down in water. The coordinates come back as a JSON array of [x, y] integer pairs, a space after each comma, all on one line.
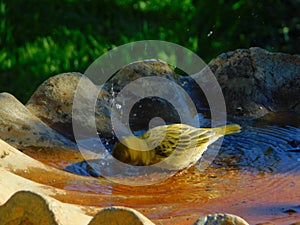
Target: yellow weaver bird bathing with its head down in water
[[177, 146]]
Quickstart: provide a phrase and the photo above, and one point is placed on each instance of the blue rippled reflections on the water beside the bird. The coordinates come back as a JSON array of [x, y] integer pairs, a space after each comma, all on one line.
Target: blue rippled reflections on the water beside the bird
[[270, 144]]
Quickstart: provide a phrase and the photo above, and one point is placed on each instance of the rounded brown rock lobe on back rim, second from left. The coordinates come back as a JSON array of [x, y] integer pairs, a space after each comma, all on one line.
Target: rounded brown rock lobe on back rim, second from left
[[52, 102]]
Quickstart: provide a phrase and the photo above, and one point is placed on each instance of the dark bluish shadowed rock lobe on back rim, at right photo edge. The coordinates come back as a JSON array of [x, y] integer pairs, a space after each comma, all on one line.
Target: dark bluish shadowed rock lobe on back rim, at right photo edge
[[278, 77]]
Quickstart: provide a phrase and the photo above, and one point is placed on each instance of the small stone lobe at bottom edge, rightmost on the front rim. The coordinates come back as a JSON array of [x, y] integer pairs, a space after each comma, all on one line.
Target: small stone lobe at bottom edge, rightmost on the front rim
[[220, 219]]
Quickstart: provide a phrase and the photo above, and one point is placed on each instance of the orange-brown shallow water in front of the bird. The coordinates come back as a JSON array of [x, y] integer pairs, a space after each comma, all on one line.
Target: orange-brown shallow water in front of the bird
[[188, 195]]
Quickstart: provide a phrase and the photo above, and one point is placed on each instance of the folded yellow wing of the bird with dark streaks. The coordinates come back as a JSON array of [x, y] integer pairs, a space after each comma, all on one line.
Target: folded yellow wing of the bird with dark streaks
[[179, 137]]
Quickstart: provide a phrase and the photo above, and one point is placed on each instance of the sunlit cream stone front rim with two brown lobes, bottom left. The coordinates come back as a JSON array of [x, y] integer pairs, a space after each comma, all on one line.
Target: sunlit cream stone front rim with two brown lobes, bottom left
[[27, 202]]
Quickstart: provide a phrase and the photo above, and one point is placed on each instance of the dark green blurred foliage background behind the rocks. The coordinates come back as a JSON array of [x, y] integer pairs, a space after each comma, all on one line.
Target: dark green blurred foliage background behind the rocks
[[41, 38]]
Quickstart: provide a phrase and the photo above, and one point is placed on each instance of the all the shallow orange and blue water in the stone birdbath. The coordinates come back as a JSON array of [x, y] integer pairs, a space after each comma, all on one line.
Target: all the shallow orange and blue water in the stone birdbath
[[256, 175]]
